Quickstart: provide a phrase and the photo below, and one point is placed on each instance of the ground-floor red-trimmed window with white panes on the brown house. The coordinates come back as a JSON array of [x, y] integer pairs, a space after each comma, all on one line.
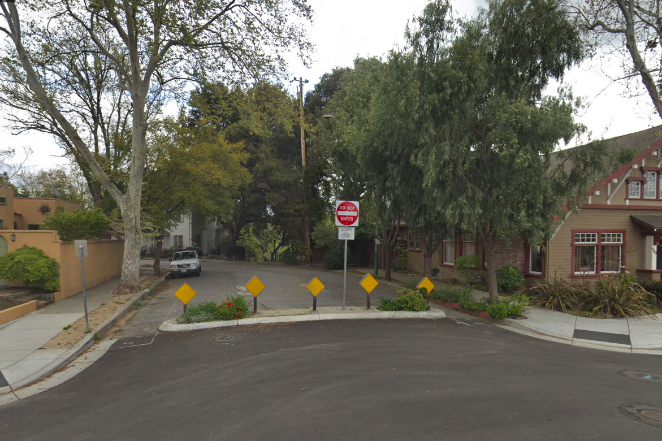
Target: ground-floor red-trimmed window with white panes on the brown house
[[598, 253]]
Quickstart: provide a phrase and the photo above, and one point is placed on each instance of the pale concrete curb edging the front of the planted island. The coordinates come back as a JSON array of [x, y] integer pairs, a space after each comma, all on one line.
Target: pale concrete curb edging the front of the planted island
[[172, 326]]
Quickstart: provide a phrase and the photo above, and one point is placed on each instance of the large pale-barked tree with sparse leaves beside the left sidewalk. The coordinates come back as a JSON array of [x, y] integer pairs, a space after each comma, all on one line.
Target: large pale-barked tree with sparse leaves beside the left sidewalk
[[148, 46]]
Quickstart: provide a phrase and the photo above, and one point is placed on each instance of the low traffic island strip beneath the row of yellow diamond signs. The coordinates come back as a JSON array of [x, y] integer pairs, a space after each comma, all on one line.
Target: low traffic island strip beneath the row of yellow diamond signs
[[303, 315]]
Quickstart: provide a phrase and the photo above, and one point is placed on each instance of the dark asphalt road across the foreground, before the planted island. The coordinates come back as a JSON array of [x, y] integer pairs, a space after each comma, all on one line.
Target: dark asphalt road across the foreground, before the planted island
[[345, 380]]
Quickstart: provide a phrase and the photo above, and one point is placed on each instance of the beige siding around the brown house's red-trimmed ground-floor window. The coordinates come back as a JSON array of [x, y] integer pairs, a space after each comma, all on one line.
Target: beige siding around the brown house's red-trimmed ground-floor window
[[559, 250]]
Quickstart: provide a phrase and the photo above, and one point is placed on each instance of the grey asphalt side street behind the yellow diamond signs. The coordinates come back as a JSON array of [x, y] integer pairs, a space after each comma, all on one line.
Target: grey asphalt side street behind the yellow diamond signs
[[285, 287]]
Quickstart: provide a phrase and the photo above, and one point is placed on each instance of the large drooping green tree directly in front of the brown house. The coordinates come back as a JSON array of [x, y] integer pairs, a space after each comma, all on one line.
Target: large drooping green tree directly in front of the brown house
[[496, 144]]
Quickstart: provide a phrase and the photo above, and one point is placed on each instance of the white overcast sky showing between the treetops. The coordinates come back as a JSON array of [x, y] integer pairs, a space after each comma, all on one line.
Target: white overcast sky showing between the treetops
[[345, 29]]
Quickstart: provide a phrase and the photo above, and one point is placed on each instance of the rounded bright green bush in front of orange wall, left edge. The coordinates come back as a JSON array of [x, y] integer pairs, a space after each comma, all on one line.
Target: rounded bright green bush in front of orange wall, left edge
[[31, 266]]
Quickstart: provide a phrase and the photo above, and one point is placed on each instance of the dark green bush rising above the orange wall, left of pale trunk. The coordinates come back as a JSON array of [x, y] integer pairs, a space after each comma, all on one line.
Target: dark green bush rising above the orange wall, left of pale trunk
[[81, 224]]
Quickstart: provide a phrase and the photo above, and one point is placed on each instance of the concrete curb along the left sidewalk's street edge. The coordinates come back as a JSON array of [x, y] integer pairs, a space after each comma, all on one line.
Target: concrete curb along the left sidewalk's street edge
[[87, 341]]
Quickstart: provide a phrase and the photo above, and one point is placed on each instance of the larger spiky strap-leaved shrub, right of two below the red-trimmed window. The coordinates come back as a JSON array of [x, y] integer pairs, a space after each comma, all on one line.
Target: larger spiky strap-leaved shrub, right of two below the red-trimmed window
[[619, 296]]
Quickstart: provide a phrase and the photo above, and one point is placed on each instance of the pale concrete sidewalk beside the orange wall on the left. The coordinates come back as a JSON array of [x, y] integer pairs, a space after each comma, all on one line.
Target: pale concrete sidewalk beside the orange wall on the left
[[22, 355]]
